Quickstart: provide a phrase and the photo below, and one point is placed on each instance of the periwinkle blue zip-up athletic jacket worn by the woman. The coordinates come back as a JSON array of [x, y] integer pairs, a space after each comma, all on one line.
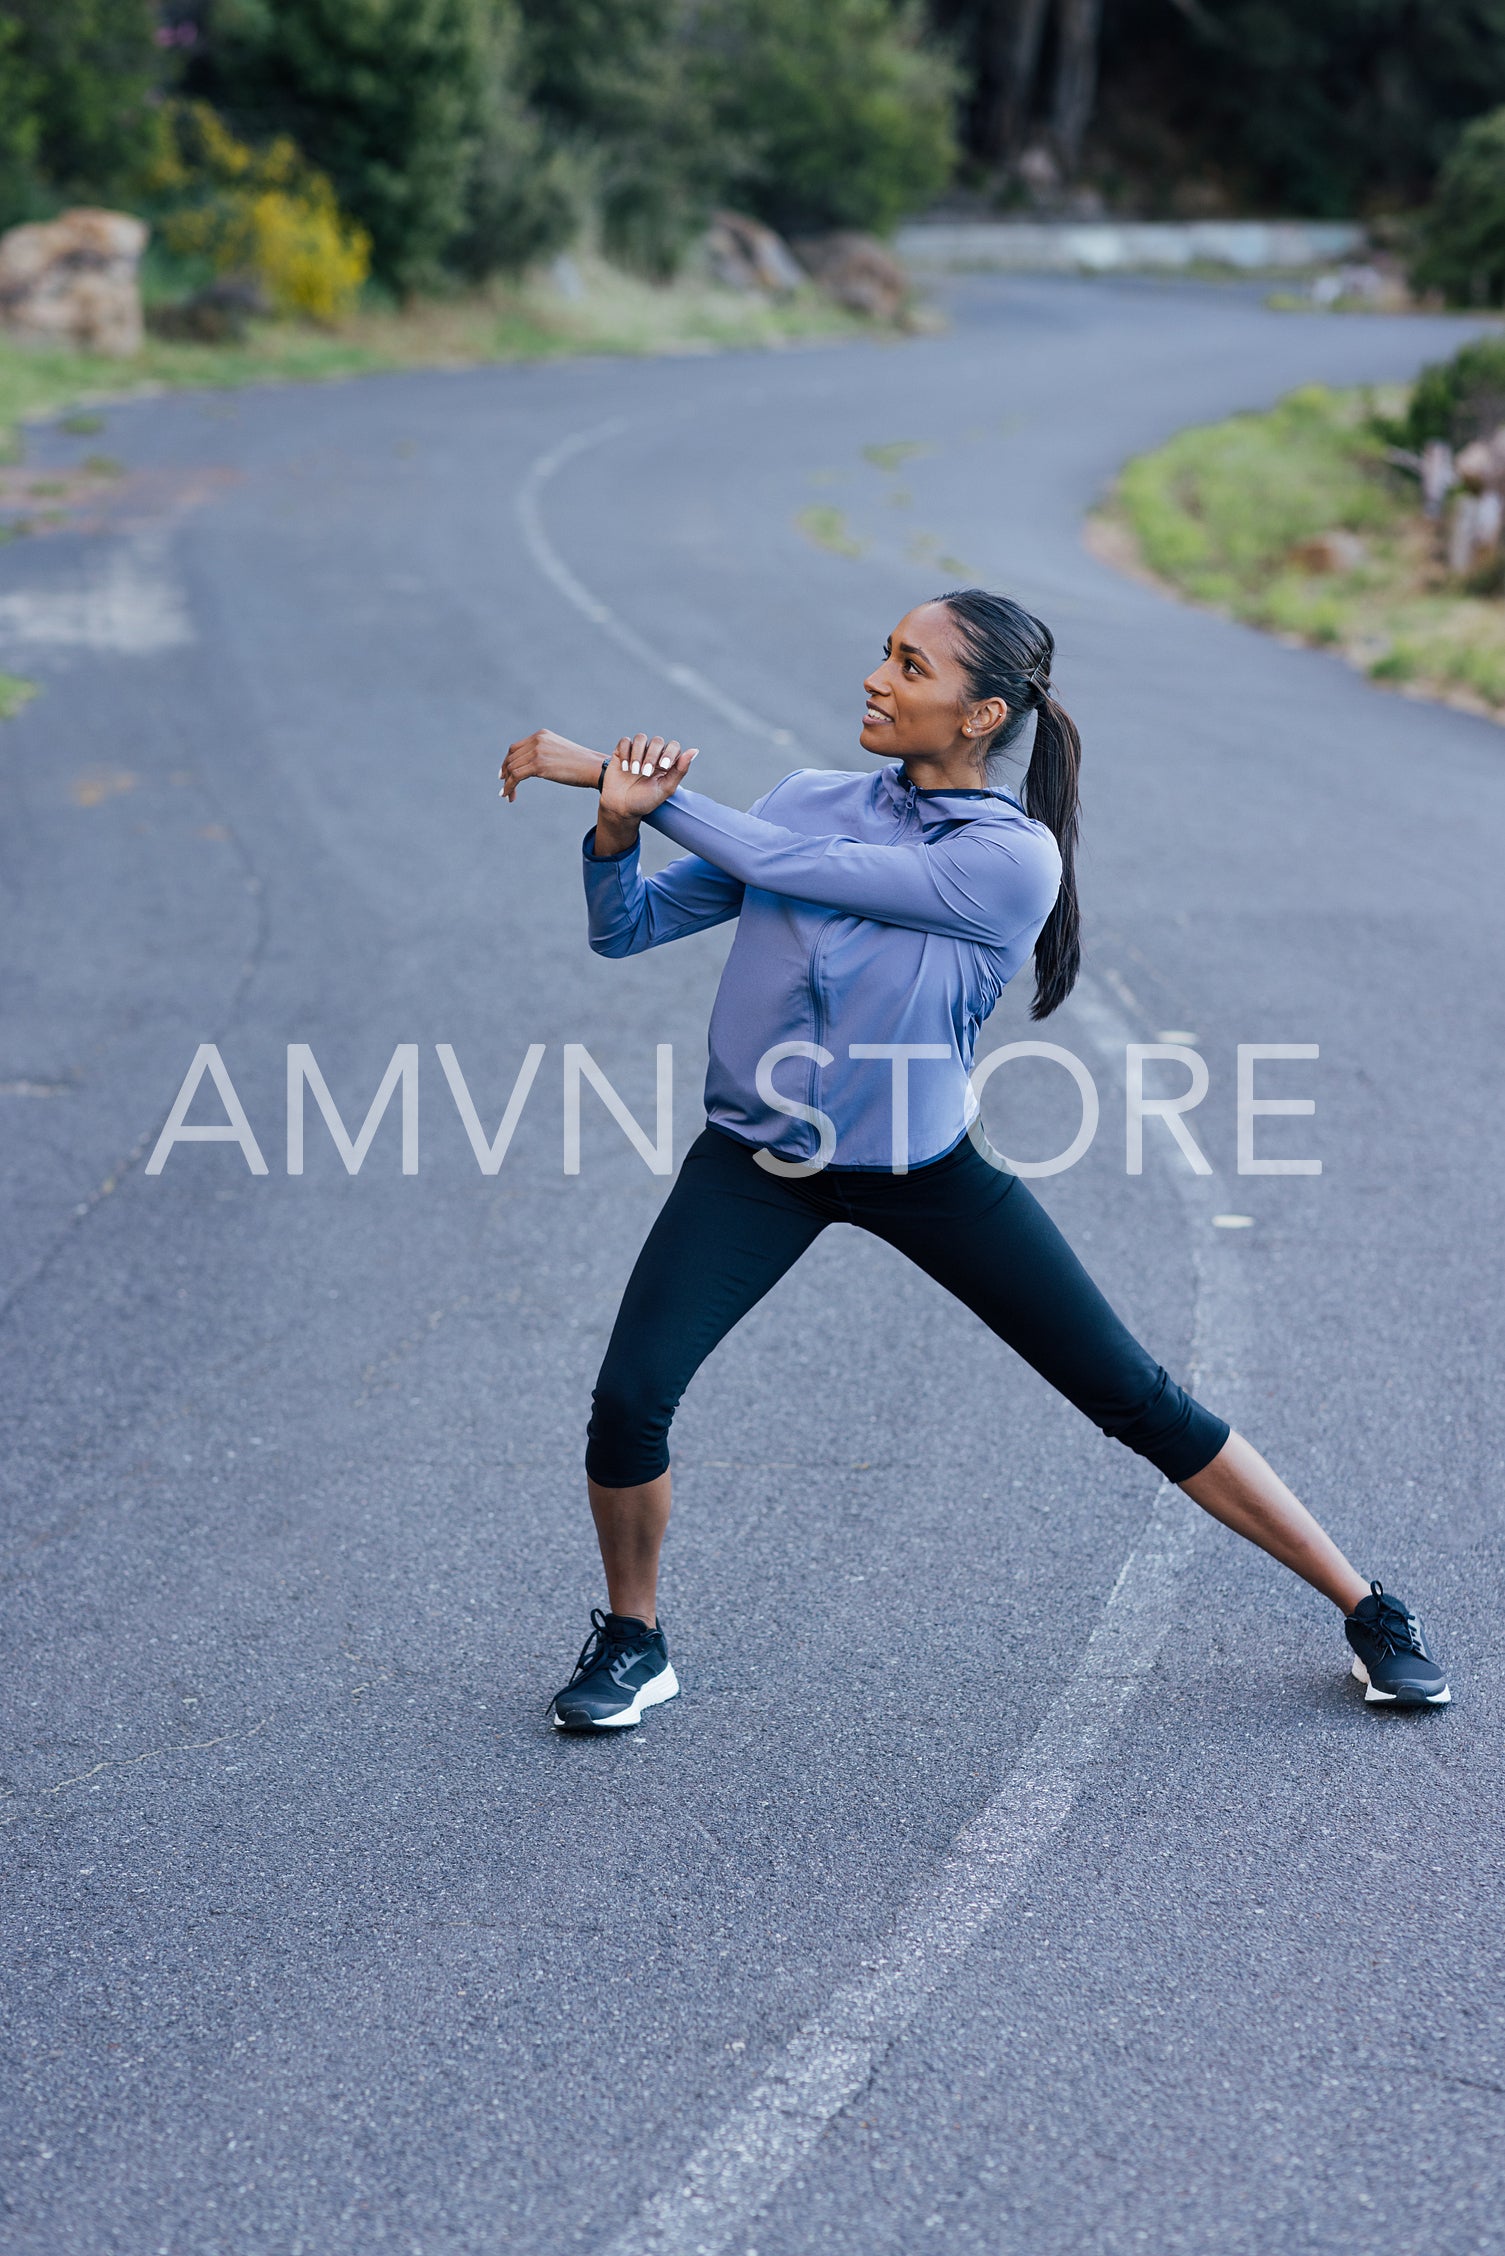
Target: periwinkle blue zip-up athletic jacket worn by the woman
[[868, 915]]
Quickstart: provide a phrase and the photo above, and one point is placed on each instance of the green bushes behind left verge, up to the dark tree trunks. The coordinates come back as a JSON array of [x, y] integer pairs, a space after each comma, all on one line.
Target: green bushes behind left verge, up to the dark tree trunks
[[470, 136]]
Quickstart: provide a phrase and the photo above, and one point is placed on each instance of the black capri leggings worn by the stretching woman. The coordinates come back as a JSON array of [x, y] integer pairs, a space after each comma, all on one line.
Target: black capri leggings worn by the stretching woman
[[730, 1231]]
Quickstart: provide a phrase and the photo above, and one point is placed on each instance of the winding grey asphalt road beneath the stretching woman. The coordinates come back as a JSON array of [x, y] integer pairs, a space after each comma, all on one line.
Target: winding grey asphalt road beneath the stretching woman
[[317, 1939]]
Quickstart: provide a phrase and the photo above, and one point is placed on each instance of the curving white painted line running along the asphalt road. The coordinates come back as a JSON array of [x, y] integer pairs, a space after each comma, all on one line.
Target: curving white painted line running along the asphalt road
[[822, 2070]]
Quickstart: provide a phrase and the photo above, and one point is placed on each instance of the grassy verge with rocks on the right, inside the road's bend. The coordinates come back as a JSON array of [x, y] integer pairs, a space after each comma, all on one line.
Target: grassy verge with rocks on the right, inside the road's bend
[[1240, 515]]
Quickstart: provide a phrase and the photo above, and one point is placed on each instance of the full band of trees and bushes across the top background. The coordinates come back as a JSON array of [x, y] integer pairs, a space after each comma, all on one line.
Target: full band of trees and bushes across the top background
[[475, 136]]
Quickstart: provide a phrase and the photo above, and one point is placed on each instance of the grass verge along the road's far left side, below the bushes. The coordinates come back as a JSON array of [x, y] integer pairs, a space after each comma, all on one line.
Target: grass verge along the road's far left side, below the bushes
[[531, 321]]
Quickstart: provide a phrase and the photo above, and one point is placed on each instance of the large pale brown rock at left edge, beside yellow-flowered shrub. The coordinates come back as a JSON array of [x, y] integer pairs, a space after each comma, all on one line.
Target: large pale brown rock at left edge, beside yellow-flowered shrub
[[76, 279]]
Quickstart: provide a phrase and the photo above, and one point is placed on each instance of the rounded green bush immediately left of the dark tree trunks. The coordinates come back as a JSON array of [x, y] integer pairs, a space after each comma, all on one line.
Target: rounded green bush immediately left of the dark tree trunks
[[843, 109]]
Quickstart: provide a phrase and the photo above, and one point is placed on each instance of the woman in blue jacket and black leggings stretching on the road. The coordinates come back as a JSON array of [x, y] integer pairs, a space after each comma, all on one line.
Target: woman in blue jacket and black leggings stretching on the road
[[879, 922]]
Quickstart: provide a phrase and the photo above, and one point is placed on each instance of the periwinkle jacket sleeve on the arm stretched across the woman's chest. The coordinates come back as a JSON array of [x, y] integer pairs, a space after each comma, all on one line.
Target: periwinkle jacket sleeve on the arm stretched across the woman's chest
[[983, 885]]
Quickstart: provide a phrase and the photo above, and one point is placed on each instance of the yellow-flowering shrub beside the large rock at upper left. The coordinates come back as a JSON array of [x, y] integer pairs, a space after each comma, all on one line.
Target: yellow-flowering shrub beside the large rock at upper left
[[258, 213]]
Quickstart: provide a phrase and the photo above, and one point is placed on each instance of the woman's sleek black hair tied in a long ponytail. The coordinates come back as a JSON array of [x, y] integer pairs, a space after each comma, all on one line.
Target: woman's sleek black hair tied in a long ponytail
[[1007, 653]]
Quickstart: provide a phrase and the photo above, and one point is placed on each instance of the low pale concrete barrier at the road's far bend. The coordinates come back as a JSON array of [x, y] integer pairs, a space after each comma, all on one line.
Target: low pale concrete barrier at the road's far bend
[[1123, 247]]
